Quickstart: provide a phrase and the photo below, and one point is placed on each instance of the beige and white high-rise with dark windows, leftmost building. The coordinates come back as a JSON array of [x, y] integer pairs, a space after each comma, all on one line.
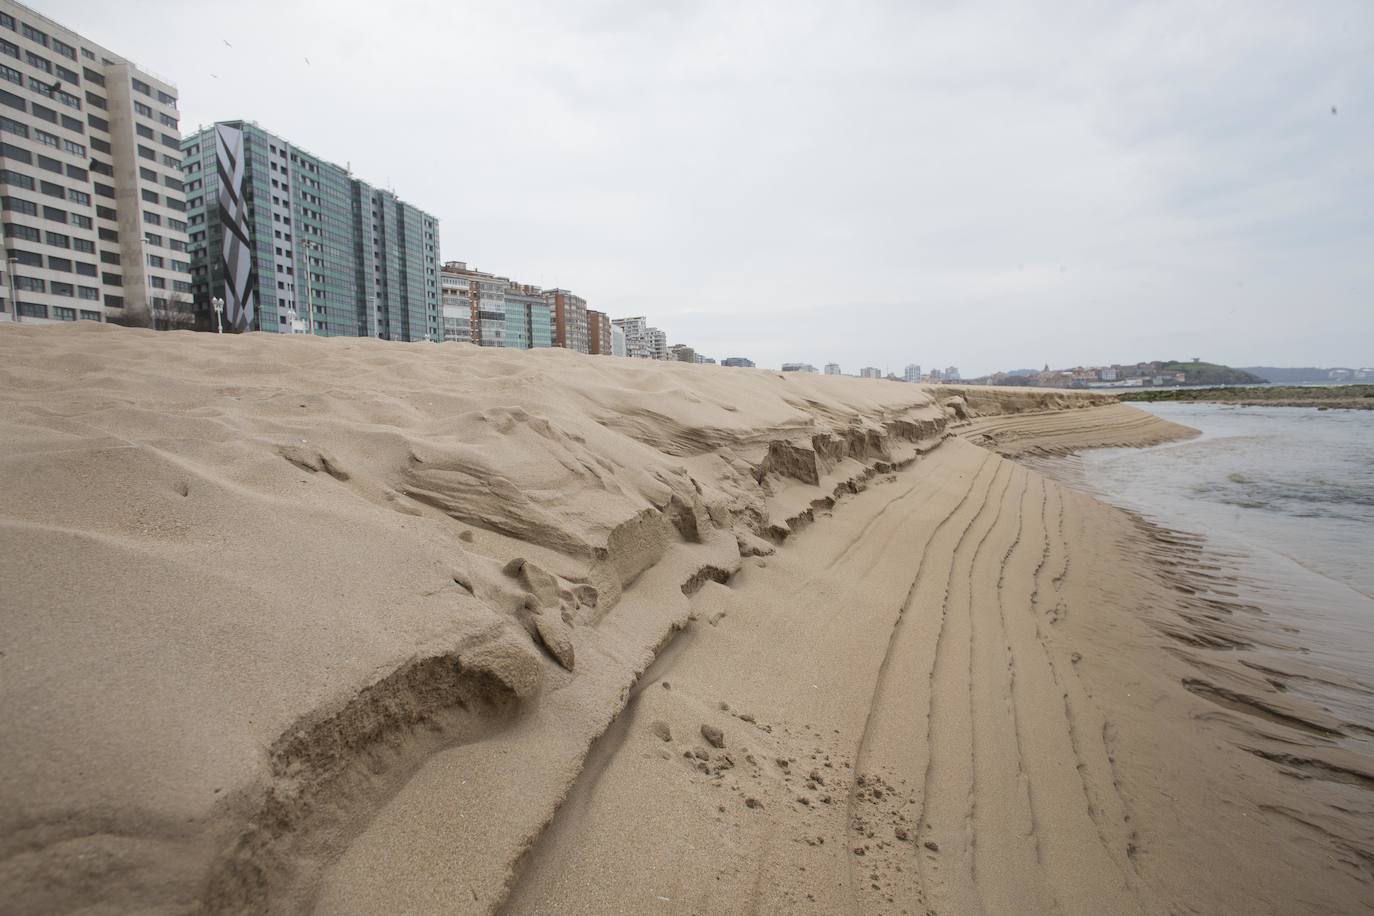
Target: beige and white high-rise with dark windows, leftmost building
[[95, 222]]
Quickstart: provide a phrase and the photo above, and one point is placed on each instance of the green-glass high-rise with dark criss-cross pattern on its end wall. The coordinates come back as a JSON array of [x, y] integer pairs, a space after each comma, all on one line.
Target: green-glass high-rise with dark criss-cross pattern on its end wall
[[293, 242]]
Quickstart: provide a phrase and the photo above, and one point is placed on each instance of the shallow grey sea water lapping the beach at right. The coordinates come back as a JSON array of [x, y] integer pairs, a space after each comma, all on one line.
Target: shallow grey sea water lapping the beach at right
[[1287, 494]]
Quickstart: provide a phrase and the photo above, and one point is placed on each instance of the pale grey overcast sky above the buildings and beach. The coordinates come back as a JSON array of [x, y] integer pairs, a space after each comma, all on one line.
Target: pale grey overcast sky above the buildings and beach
[[987, 186]]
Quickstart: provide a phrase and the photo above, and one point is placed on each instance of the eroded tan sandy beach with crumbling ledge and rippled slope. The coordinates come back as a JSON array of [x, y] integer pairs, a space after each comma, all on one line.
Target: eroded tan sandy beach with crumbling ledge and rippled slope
[[347, 627]]
